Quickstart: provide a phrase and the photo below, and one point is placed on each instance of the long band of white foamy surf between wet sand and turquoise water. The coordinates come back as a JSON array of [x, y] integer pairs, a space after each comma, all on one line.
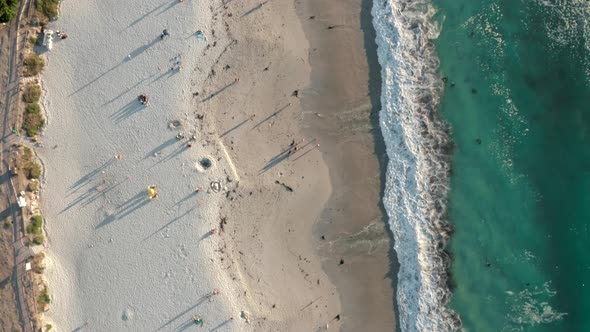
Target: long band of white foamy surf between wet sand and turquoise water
[[419, 150]]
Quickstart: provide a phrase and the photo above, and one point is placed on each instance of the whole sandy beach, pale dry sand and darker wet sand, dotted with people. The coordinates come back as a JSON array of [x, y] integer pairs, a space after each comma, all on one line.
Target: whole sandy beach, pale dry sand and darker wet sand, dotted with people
[[268, 193]]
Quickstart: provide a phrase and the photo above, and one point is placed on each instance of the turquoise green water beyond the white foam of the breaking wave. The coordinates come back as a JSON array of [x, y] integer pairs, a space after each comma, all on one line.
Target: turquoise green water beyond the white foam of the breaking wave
[[518, 100]]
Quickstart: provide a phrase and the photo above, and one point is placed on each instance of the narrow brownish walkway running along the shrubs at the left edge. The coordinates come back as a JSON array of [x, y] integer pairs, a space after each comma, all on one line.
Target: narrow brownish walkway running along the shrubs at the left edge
[[21, 252]]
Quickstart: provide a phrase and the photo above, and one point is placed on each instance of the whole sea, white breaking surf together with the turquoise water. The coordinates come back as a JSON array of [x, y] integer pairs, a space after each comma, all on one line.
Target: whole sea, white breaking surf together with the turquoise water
[[487, 125]]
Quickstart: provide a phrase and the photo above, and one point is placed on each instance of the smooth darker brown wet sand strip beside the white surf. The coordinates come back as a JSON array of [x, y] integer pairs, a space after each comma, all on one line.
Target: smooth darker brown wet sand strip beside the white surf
[[344, 96]]
